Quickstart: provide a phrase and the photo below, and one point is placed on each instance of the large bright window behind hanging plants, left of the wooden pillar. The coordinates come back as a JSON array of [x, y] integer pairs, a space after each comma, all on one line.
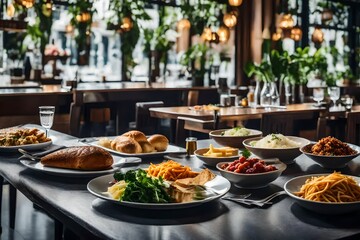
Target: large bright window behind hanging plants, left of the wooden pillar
[[102, 52]]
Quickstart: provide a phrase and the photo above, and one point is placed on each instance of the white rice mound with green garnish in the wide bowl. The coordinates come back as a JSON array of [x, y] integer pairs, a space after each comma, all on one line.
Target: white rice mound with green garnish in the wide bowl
[[275, 141]]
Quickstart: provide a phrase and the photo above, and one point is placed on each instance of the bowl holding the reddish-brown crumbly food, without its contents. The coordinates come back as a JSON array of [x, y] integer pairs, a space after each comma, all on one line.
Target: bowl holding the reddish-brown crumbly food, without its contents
[[331, 162]]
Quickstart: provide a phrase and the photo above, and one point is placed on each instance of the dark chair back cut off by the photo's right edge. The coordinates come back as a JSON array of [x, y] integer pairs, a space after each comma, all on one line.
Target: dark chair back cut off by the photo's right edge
[[353, 128]]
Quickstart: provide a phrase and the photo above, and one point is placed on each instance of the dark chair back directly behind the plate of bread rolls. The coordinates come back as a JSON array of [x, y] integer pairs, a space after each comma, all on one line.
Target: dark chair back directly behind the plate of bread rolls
[[143, 121]]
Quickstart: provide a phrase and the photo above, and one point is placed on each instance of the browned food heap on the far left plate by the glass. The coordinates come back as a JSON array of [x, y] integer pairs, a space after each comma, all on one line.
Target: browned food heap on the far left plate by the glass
[[22, 136]]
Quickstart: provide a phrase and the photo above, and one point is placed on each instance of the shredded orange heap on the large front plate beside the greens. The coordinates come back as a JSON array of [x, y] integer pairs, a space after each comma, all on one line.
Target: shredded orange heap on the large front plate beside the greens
[[170, 171]]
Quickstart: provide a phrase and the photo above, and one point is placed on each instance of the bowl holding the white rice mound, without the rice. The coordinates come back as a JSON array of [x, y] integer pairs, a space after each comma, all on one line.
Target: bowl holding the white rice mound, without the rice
[[286, 155]]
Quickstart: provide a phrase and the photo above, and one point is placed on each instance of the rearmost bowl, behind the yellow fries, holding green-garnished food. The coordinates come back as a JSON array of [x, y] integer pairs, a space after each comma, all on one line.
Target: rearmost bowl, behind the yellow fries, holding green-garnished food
[[232, 141]]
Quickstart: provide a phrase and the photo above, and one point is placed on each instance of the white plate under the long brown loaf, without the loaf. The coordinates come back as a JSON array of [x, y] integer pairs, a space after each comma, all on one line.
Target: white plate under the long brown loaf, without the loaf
[[37, 166]]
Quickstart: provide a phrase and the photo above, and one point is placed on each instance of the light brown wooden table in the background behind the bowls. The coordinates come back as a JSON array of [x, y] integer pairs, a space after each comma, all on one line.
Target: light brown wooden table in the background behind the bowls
[[279, 119]]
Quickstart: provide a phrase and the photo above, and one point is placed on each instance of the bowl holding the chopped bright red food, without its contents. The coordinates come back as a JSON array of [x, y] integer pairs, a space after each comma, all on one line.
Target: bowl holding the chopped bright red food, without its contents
[[253, 180]]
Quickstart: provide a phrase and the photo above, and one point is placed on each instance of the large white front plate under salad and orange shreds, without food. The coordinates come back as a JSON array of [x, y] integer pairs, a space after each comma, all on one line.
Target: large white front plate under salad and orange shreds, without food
[[99, 185]]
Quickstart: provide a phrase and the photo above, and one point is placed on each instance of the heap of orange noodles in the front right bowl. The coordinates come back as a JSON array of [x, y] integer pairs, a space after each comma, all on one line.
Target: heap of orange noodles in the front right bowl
[[334, 188]]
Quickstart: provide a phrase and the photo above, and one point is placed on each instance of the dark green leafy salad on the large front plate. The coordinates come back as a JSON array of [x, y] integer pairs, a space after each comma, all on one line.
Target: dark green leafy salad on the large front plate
[[141, 188]]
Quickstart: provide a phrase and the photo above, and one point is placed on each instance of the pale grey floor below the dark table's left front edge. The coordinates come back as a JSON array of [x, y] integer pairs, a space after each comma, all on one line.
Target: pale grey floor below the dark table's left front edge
[[31, 223]]
